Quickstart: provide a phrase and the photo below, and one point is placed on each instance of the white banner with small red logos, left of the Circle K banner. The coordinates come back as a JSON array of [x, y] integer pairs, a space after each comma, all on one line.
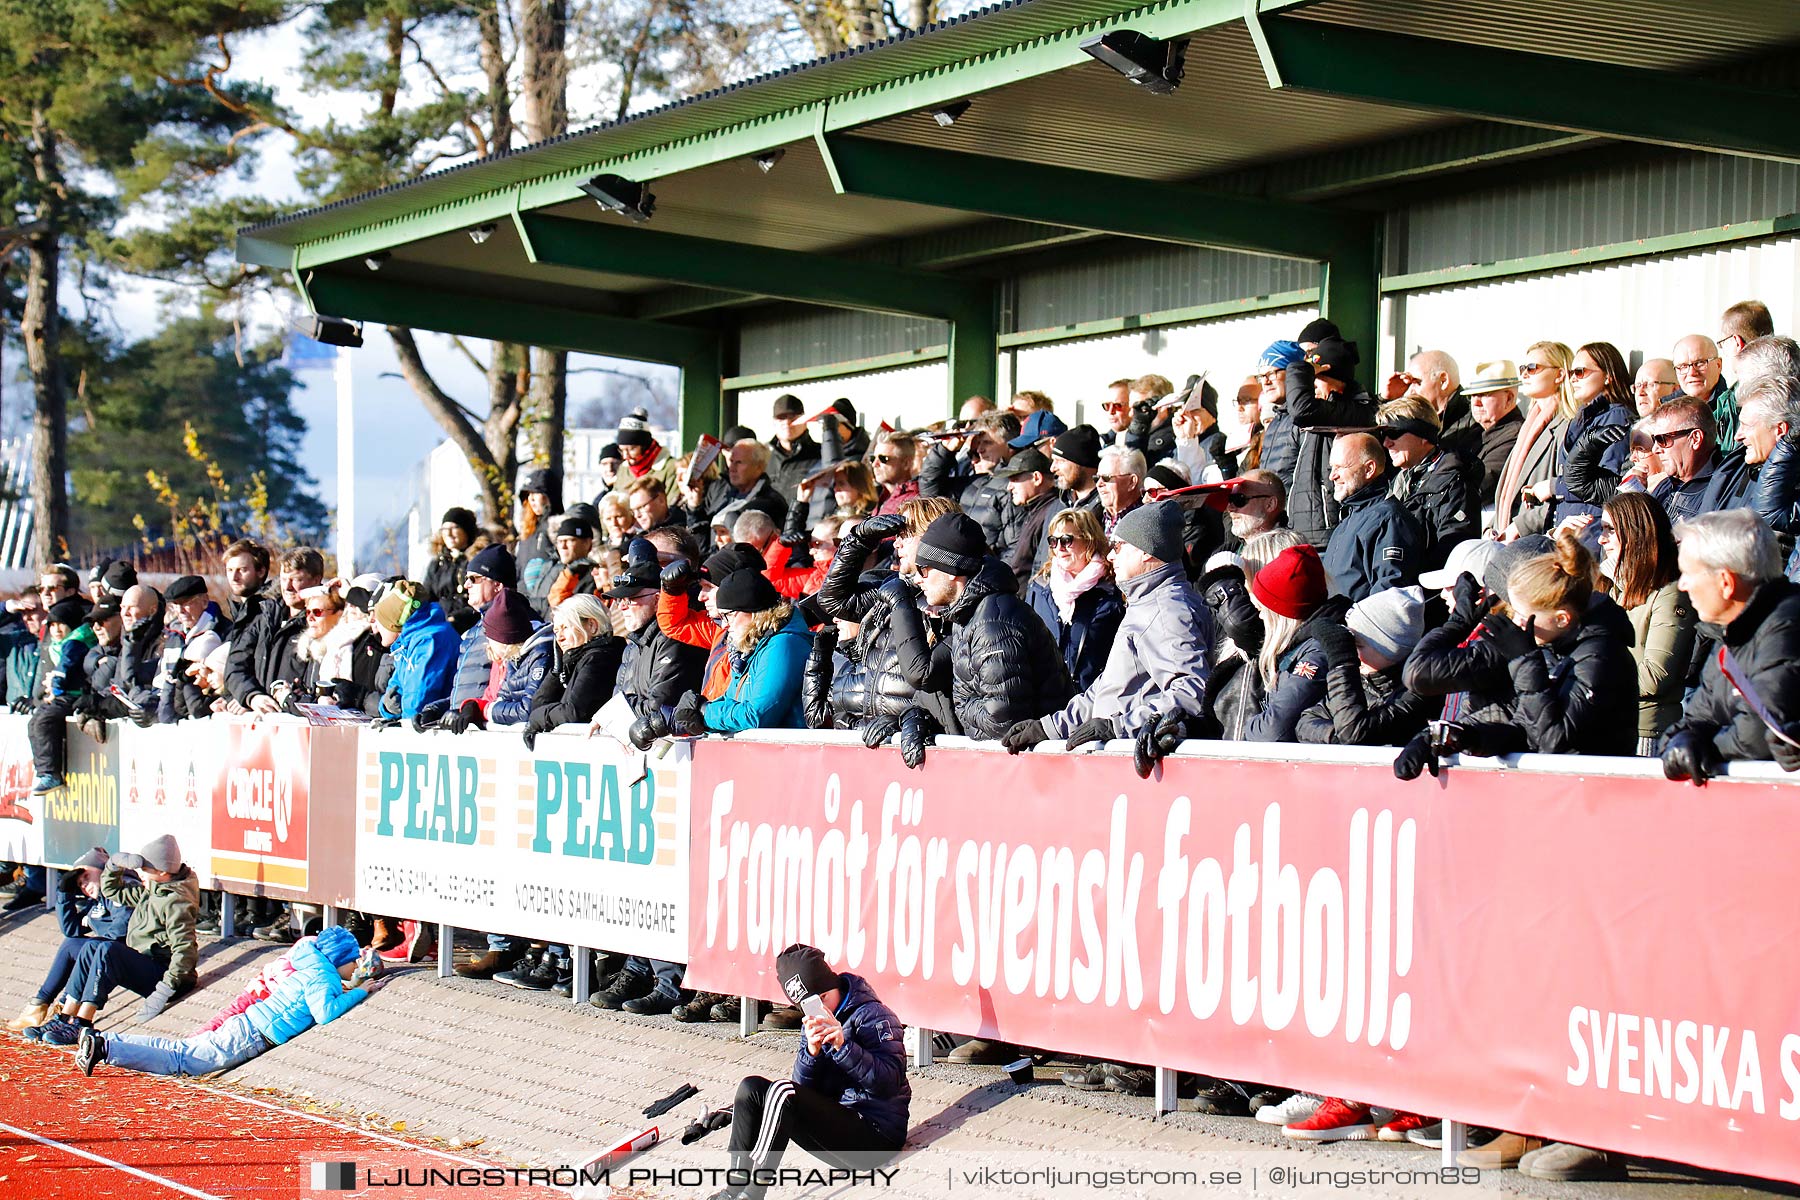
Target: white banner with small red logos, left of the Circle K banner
[[168, 776]]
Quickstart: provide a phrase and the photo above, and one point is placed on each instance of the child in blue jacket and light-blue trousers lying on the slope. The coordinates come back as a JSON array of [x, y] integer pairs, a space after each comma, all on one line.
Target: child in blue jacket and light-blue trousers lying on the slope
[[314, 994]]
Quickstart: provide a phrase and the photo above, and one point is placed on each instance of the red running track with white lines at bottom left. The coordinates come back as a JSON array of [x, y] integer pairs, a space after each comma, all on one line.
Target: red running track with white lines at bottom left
[[148, 1138]]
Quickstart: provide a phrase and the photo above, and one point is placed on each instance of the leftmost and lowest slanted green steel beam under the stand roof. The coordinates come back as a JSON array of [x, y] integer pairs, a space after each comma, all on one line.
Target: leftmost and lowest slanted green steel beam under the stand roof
[[391, 303]]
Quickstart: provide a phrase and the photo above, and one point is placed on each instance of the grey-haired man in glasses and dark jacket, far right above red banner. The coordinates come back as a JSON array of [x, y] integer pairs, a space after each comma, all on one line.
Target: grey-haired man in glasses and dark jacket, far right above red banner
[[1731, 569]]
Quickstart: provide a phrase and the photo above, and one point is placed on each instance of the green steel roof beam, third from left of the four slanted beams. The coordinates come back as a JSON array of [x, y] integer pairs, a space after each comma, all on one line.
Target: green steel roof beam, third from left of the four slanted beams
[[1088, 201]]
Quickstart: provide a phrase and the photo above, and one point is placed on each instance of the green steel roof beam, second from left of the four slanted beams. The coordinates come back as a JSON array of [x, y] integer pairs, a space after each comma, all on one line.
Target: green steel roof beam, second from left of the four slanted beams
[[741, 267]]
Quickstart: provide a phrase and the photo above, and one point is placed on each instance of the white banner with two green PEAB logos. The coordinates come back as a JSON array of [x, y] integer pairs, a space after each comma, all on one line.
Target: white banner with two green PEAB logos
[[580, 843]]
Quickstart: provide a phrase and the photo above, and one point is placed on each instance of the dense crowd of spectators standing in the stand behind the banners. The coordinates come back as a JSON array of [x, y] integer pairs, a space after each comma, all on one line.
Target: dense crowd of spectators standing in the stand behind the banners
[[1439, 566]]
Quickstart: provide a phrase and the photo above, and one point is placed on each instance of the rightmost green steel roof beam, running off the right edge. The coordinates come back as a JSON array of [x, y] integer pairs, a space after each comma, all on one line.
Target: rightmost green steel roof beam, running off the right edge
[[1520, 87]]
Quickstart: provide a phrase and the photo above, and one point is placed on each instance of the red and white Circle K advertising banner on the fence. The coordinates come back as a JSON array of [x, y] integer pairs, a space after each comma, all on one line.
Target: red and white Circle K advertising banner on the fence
[[262, 805]]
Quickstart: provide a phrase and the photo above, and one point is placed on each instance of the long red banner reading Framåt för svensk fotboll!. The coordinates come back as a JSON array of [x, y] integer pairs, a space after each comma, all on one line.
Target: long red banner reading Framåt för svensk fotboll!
[[1599, 960]]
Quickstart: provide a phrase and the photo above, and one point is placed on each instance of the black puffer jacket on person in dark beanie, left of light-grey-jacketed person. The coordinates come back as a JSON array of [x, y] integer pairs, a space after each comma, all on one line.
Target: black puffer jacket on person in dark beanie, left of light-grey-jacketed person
[[1005, 663]]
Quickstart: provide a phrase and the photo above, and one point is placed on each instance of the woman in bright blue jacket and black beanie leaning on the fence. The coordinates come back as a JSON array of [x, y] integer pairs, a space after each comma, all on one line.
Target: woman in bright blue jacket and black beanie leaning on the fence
[[768, 643]]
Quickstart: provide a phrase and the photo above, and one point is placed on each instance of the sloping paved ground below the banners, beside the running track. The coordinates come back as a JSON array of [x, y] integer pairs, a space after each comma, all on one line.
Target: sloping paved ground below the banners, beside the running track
[[528, 1079]]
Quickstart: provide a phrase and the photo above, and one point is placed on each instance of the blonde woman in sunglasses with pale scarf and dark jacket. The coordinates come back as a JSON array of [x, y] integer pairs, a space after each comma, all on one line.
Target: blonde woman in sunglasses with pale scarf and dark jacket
[[1075, 596]]
